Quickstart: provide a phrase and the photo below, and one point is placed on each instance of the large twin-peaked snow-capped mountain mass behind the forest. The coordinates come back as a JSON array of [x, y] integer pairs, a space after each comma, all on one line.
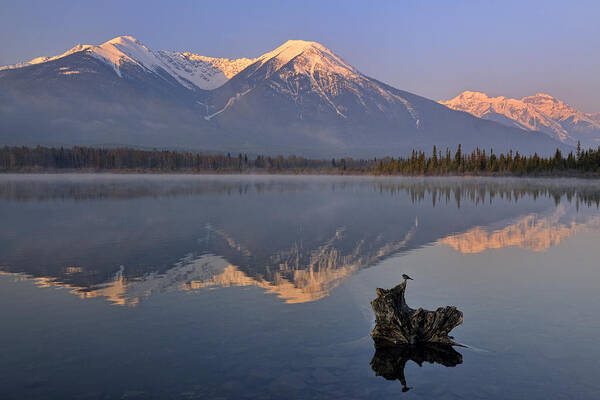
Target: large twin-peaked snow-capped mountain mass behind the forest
[[300, 98]]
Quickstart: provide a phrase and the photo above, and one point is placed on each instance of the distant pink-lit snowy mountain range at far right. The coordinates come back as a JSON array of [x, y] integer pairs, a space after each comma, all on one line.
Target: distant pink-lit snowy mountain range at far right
[[540, 112]]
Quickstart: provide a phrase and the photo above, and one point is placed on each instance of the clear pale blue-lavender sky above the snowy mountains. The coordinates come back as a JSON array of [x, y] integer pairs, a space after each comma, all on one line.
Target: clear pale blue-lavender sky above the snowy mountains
[[432, 48]]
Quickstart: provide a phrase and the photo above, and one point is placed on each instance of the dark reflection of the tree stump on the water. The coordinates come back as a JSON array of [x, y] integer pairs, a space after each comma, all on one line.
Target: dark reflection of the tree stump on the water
[[390, 362]]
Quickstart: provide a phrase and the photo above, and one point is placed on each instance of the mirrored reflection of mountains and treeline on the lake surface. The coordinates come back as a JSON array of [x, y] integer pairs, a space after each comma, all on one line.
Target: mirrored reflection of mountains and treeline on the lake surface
[[124, 238]]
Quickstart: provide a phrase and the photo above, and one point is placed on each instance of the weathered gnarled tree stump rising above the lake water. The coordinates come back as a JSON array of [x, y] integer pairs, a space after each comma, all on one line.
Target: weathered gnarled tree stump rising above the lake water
[[397, 324]]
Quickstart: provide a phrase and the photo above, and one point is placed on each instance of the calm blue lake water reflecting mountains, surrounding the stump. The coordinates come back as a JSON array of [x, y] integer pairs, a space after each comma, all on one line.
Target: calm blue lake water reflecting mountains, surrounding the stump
[[244, 287]]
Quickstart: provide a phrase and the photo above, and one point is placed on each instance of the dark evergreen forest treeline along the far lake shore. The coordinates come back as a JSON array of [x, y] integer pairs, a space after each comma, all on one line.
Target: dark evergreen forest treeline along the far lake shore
[[436, 163]]
